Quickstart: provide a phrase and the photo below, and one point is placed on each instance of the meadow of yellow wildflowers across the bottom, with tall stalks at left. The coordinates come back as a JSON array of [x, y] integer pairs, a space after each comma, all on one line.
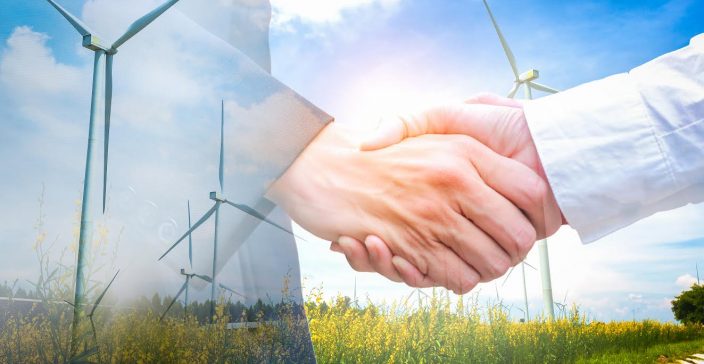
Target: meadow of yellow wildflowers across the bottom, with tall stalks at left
[[432, 329]]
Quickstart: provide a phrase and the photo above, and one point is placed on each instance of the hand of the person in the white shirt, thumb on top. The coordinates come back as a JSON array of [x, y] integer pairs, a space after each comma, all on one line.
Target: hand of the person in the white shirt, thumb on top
[[497, 122]]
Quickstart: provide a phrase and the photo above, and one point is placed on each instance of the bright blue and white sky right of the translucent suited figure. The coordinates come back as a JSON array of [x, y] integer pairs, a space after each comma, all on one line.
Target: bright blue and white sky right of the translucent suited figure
[[383, 57]]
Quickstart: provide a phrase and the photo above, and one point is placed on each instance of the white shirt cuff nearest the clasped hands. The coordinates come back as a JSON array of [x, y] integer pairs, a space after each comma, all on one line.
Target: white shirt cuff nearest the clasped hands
[[601, 155]]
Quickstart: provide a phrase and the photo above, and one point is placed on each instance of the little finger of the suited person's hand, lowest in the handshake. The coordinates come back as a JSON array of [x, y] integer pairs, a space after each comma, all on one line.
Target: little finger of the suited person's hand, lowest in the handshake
[[450, 271]]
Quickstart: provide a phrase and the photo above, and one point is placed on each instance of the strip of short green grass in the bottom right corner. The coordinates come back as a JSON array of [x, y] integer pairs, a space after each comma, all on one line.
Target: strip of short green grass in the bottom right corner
[[661, 353]]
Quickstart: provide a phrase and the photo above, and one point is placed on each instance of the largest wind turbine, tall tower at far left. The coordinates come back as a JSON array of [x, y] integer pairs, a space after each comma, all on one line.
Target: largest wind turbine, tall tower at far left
[[102, 51]]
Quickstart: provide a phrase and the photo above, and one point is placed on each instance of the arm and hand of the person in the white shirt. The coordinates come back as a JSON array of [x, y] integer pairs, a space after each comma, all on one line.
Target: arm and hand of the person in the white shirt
[[614, 151]]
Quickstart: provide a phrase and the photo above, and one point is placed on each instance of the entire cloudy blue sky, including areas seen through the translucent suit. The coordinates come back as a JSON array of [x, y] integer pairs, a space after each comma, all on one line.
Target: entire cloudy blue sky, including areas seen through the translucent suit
[[357, 61]]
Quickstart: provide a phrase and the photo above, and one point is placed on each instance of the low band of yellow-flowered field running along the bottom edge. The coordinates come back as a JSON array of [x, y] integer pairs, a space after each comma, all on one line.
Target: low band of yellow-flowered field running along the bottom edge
[[437, 331]]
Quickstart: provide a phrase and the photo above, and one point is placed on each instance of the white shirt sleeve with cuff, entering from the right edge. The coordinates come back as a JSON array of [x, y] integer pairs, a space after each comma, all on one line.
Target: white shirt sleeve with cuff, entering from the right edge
[[623, 148]]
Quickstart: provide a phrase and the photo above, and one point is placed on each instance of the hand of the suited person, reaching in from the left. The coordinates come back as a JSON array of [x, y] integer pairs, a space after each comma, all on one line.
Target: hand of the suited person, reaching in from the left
[[437, 201]]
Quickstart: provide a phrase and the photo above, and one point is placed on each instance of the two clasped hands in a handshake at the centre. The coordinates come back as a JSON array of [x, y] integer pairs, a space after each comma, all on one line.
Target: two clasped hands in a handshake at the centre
[[450, 197]]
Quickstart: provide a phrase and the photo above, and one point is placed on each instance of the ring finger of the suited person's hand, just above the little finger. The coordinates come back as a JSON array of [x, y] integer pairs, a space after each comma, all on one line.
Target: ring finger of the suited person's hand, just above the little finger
[[478, 249]]
